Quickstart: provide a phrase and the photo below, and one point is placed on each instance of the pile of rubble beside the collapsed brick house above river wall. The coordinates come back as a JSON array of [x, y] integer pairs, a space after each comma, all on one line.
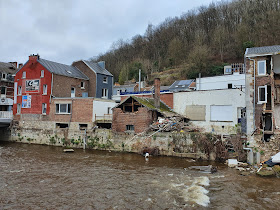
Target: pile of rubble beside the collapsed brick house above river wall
[[174, 123]]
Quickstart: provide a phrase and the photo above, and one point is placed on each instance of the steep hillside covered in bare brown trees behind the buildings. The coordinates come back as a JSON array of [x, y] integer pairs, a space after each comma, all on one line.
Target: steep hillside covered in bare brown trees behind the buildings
[[201, 40]]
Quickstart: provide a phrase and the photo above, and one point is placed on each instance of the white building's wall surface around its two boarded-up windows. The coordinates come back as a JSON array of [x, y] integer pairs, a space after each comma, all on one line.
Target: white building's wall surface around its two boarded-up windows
[[233, 97]]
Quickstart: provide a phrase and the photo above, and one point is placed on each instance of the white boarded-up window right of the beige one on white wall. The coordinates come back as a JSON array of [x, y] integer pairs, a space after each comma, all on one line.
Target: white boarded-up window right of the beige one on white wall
[[221, 113]]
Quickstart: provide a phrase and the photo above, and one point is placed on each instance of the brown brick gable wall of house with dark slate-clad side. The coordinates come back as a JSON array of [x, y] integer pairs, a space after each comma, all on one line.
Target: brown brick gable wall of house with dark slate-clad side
[[90, 74]]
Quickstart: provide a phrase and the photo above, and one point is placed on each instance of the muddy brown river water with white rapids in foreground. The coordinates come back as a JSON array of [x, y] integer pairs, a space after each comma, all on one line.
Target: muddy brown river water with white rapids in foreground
[[43, 177]]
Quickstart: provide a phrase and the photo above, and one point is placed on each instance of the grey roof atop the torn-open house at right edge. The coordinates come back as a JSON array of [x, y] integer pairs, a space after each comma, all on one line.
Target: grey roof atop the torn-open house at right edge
[[266, 50]]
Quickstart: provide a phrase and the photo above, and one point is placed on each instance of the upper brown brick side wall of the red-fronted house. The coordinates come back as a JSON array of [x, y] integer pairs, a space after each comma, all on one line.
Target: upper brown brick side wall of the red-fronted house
[[62, 86]]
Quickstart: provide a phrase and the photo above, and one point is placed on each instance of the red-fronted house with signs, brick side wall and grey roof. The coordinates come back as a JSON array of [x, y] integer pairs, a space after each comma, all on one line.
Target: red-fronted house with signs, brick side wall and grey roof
[[40, 80]]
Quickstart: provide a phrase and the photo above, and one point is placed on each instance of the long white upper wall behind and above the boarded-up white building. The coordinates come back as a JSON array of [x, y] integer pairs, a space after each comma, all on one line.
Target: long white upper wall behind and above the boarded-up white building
[[220, 82]]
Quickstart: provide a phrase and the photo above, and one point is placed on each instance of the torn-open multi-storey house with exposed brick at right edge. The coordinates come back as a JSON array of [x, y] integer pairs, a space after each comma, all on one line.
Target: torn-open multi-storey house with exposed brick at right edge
[[262, 92]]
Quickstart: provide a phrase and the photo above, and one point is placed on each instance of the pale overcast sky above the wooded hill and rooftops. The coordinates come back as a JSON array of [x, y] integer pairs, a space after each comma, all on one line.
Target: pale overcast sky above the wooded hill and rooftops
[[69, 30]]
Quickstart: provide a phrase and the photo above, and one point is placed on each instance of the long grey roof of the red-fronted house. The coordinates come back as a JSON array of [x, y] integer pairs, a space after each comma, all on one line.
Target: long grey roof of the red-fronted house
[[62, 69]]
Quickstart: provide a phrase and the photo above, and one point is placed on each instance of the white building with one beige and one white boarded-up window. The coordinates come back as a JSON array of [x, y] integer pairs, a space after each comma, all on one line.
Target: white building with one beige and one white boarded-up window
[[214, 111]]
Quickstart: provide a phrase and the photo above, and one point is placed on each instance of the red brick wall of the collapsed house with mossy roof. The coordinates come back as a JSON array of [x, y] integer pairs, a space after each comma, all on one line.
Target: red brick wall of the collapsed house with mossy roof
[[140, 119]]
